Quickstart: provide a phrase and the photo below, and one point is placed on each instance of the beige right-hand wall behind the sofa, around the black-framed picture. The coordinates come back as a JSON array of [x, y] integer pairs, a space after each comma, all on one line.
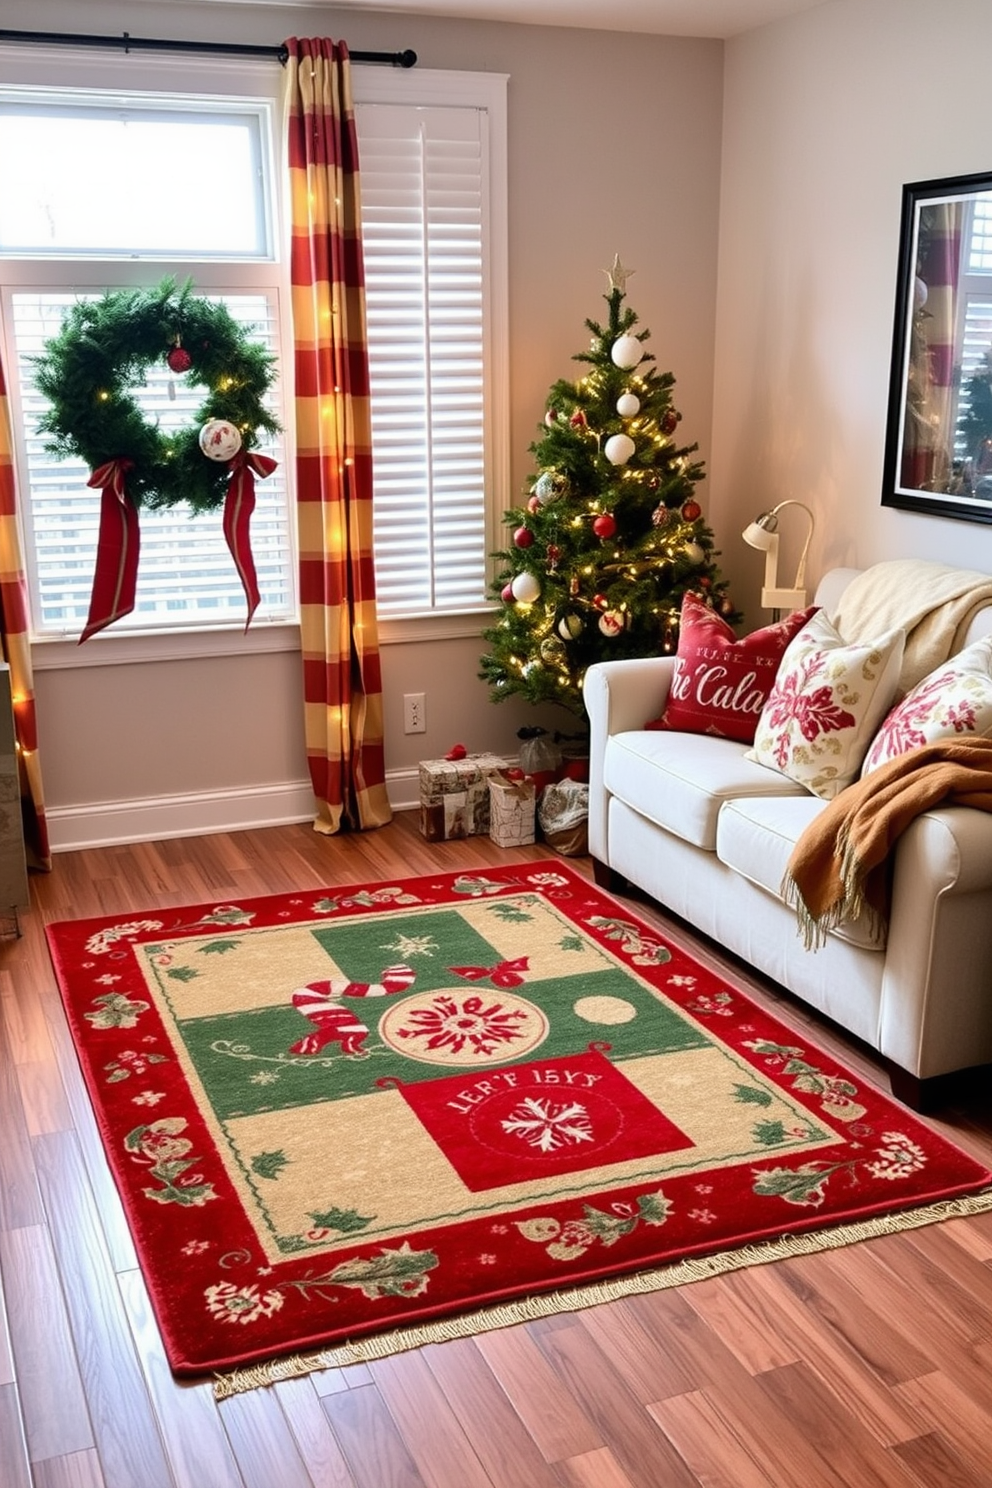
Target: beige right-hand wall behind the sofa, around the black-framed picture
[[826, 117]]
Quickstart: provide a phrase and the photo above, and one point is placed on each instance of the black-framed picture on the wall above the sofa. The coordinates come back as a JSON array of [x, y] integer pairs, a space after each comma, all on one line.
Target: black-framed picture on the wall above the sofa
[[939, 435]]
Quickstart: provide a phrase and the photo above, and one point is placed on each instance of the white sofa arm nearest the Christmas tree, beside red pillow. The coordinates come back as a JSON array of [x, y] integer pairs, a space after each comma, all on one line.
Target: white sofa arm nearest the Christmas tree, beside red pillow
[[619, 696]]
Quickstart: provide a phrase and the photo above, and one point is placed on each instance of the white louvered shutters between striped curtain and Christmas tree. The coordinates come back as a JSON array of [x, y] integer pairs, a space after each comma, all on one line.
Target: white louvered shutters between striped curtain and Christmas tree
[[429, 280]]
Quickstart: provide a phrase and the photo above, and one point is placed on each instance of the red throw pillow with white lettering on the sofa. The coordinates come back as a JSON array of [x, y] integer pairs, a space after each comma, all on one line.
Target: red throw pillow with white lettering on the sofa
[[721, 684]]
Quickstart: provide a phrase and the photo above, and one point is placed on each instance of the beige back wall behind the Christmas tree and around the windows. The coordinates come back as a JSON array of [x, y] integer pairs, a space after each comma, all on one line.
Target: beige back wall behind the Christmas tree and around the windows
[[613, 148]]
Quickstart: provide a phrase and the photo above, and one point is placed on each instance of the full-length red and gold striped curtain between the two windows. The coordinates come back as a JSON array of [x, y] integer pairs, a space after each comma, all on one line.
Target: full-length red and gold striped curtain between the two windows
[[343, 685]]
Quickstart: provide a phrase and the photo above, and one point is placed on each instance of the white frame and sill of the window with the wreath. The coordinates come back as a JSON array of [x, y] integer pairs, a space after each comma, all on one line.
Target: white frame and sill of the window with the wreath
[[222, 80]]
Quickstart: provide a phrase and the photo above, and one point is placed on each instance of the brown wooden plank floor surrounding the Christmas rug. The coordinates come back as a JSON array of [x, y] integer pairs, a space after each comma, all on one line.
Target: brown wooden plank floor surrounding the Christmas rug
[[866, 1368]]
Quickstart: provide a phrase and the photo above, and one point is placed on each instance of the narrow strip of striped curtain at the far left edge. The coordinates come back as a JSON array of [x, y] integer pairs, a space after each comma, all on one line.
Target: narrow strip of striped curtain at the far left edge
[[17, 652]]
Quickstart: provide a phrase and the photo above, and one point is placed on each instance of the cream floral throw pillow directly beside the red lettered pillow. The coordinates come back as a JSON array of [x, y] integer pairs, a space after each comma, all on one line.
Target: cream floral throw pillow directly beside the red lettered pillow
[[828, 703]]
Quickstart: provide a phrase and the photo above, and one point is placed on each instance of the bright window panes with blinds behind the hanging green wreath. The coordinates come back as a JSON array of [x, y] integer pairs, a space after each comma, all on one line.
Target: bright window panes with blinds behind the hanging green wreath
[[199, 202]]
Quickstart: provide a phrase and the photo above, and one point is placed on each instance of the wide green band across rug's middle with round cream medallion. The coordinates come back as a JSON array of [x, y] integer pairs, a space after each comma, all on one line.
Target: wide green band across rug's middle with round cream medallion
[[246, 1065]]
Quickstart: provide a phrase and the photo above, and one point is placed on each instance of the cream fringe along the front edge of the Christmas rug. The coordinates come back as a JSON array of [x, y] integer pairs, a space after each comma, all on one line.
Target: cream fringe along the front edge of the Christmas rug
[[529, 1310]]
